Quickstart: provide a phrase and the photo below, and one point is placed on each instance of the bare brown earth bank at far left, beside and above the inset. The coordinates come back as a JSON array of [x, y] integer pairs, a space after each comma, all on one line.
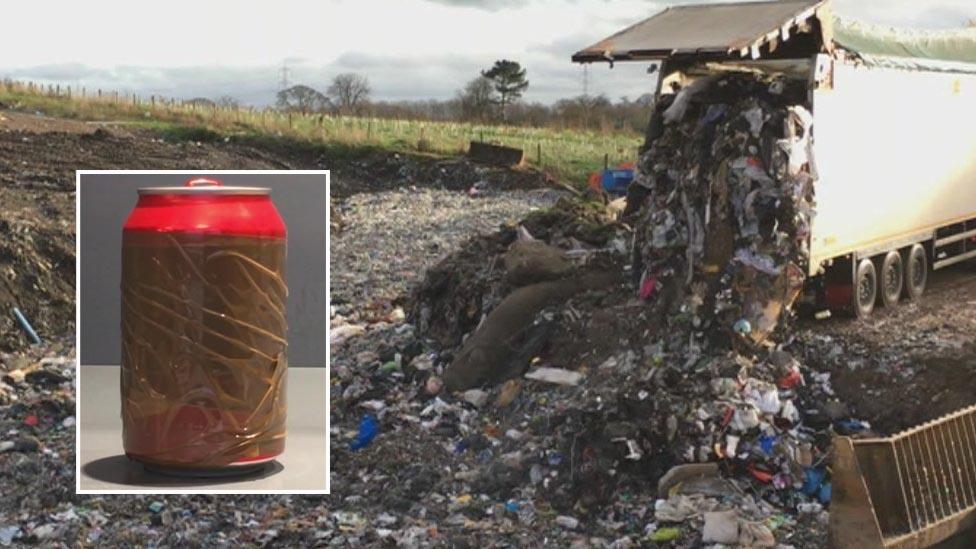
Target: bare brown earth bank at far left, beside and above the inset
[[38, 159]]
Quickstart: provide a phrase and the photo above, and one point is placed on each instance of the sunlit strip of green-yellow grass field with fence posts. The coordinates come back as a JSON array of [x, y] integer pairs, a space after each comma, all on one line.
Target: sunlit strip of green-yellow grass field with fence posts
[[569, 155]]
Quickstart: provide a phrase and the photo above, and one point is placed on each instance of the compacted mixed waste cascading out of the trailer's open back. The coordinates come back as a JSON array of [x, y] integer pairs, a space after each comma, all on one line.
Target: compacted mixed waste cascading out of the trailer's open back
[[729, 182]]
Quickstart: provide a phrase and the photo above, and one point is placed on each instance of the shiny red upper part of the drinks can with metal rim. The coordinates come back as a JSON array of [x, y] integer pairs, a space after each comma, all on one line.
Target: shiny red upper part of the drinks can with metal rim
[[205, 206]]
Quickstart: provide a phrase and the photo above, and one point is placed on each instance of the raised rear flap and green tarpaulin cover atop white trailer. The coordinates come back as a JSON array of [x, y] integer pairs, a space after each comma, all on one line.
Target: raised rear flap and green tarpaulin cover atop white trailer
[[756, 29]]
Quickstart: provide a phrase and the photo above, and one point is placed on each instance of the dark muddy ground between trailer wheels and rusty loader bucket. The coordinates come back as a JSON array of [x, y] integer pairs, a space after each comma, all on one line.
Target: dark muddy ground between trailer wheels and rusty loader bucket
[[907, 365]]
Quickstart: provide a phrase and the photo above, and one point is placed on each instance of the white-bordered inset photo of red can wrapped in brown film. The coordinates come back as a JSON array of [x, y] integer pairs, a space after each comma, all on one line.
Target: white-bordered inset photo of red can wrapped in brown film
[[202, 300]]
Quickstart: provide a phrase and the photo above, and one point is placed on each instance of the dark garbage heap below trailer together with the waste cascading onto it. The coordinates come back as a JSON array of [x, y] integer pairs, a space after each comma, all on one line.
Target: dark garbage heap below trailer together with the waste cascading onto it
[[697, 380]]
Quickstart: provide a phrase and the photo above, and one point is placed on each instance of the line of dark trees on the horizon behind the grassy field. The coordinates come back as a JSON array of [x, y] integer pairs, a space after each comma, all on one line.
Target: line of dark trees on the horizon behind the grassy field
[[492, 97]]
